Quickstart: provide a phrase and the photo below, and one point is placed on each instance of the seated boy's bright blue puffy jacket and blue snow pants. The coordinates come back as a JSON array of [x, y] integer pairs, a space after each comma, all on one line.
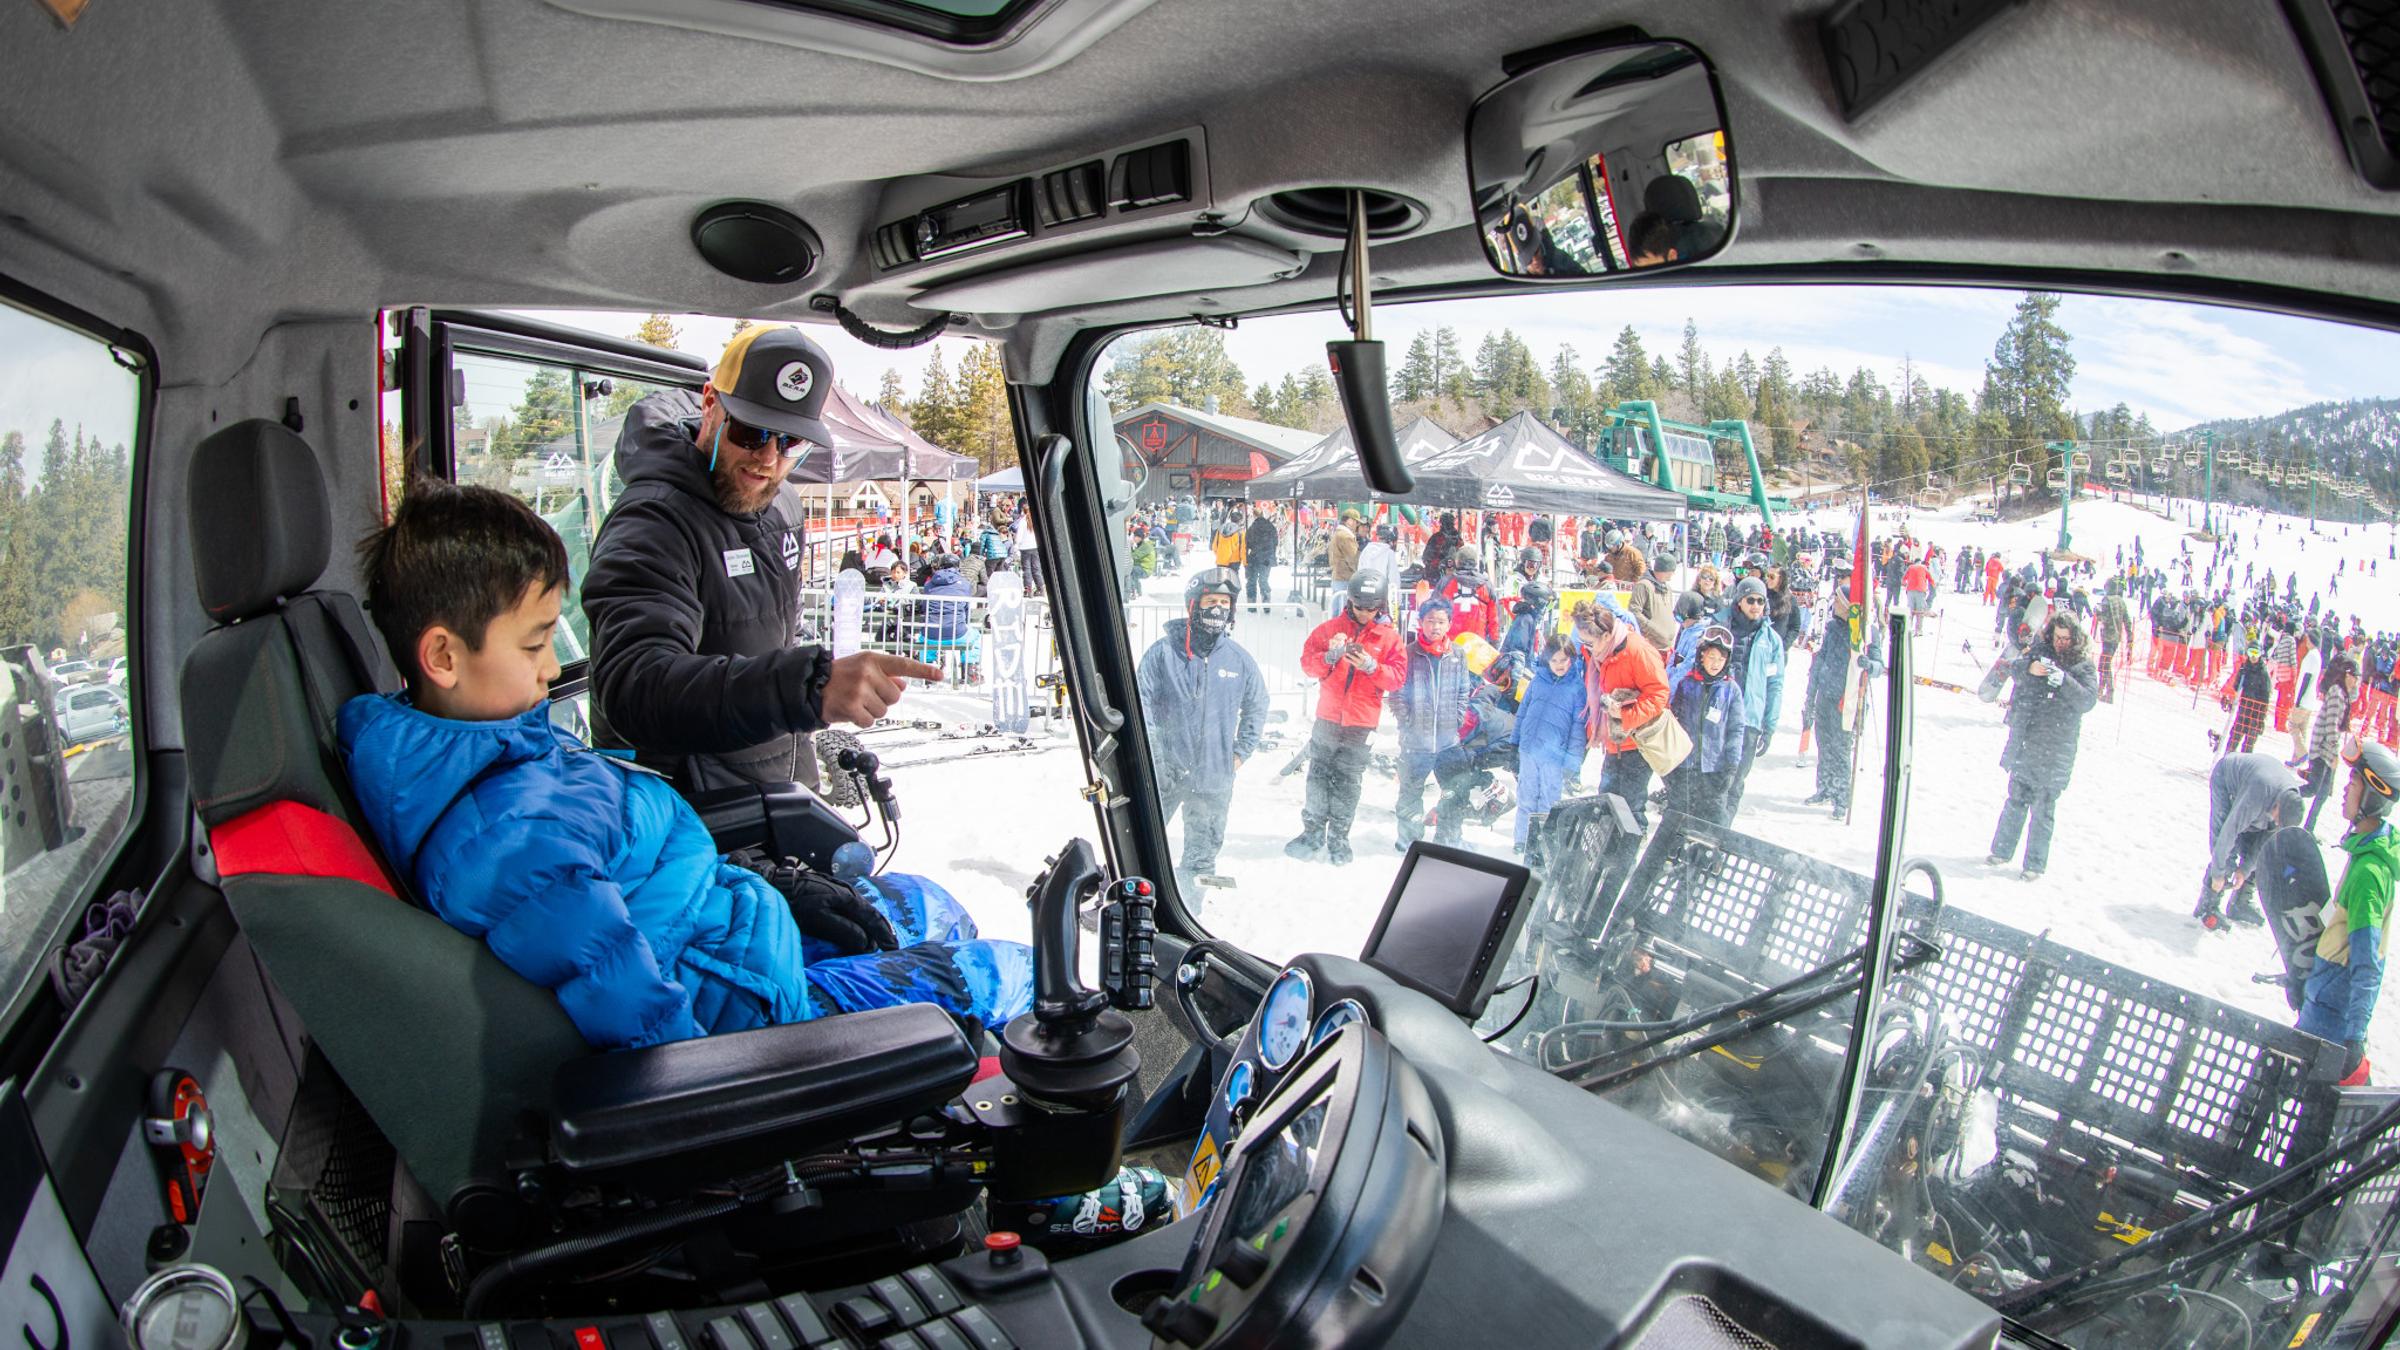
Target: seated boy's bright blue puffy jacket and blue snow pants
[[599, 883]]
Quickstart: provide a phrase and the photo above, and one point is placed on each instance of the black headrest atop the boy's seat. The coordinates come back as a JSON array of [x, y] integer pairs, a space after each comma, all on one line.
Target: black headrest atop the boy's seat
[[260, 520]]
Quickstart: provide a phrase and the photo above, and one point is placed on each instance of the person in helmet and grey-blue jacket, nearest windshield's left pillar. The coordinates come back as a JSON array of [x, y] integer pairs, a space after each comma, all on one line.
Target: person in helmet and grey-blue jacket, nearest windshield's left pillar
[[1206, 707]]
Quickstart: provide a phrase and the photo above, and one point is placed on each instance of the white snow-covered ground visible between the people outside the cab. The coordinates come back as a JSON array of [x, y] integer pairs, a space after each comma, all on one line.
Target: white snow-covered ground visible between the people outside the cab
[[2123, 871]]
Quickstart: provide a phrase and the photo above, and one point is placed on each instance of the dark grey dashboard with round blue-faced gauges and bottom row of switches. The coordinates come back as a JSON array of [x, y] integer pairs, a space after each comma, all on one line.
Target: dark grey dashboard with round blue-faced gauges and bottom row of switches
[[1381, 1178]]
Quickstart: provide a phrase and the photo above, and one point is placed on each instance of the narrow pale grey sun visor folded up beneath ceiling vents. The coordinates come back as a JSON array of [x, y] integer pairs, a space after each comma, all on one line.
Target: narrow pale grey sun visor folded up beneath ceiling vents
[[1132, 273]]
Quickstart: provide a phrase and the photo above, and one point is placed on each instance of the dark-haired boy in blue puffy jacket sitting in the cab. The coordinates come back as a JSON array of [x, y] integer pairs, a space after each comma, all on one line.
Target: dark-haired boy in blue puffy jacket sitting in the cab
[[587, 873]]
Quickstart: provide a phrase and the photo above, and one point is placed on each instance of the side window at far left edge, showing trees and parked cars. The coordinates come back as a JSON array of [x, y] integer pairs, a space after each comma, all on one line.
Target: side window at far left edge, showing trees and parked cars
[[66, 739]]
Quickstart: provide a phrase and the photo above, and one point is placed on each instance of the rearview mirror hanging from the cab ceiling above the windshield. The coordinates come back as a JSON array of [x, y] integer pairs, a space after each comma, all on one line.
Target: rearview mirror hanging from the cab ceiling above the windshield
[[1602, 162]]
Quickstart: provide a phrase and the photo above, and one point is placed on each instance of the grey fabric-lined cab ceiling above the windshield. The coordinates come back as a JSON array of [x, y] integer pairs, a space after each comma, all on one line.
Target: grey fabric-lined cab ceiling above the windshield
[[203, 172]]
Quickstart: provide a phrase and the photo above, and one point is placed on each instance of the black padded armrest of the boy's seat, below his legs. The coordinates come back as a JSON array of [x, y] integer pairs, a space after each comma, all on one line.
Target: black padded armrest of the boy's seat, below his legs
[[731, 1104]]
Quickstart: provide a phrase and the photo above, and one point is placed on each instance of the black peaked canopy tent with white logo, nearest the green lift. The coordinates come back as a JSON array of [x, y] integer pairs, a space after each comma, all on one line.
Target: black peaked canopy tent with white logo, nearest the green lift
[[1528, 467]]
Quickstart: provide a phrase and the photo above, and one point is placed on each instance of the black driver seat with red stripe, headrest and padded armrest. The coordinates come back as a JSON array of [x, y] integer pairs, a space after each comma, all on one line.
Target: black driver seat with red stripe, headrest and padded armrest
[[474, 1075]]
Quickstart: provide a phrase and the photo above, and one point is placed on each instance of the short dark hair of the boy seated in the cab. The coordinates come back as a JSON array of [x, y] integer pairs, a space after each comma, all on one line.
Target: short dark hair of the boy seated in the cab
[[457, 558]]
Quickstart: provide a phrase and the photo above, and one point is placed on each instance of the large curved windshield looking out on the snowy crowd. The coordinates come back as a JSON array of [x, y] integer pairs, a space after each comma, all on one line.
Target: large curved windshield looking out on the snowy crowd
[[1643, 623]]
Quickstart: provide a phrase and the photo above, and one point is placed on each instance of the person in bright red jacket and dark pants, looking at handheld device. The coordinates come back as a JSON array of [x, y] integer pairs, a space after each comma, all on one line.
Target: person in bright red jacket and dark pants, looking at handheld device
[[1357, 662]]
